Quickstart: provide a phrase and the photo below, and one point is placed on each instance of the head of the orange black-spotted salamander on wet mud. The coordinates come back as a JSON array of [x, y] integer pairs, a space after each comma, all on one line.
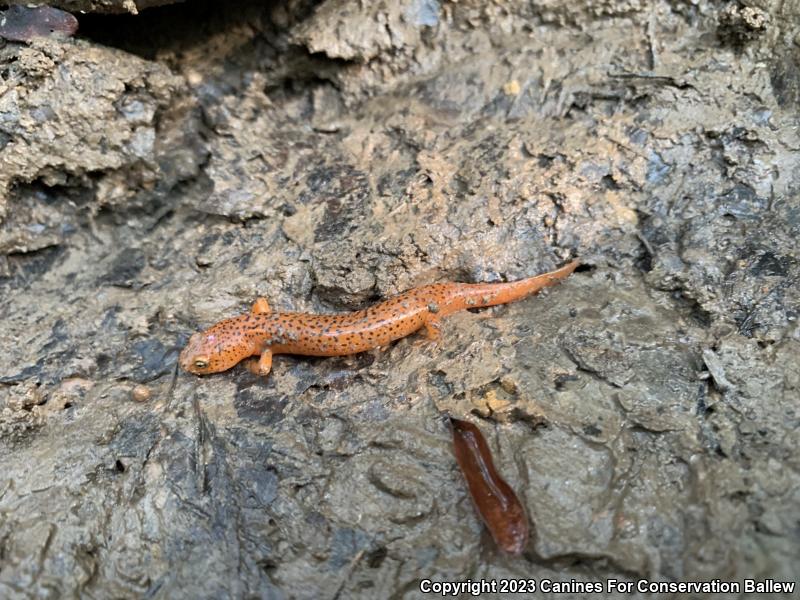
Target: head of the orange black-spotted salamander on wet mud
[[216, 349]]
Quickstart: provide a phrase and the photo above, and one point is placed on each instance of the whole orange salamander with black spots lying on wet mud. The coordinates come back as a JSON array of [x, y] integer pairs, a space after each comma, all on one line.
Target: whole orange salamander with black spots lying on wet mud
[[264, 333]]
